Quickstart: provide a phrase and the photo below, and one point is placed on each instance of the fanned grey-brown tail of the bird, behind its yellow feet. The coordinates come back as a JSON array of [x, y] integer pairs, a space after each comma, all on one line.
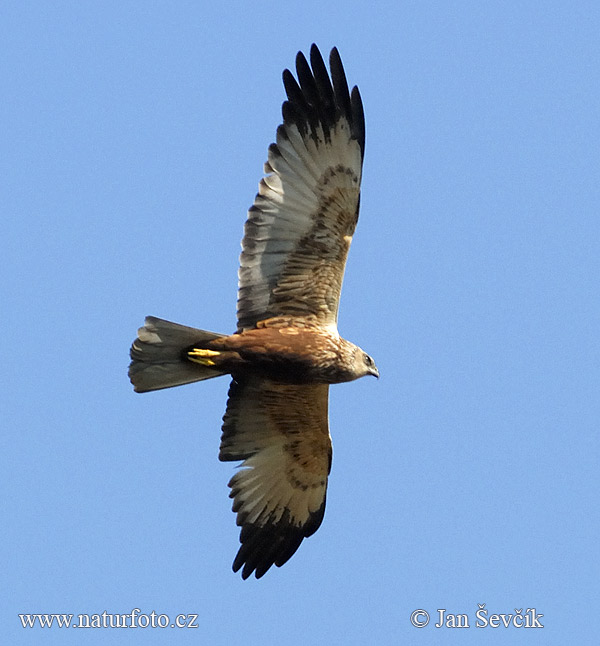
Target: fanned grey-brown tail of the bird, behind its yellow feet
[[158, 357]]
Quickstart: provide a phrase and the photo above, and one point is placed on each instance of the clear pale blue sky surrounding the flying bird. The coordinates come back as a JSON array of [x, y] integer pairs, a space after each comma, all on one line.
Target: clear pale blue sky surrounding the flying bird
[[132, 140]]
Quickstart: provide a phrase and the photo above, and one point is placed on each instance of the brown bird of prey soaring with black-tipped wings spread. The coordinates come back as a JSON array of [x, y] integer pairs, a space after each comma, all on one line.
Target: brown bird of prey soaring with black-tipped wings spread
[[286, 350]]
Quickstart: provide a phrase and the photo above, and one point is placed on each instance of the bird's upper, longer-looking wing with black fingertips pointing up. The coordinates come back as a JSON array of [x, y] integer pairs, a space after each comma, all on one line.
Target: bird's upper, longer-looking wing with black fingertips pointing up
[[299, 230]]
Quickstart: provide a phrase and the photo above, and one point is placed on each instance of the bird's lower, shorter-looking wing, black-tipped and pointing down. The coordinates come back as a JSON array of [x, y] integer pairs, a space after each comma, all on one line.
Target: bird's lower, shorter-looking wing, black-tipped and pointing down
[[281, 433]]
